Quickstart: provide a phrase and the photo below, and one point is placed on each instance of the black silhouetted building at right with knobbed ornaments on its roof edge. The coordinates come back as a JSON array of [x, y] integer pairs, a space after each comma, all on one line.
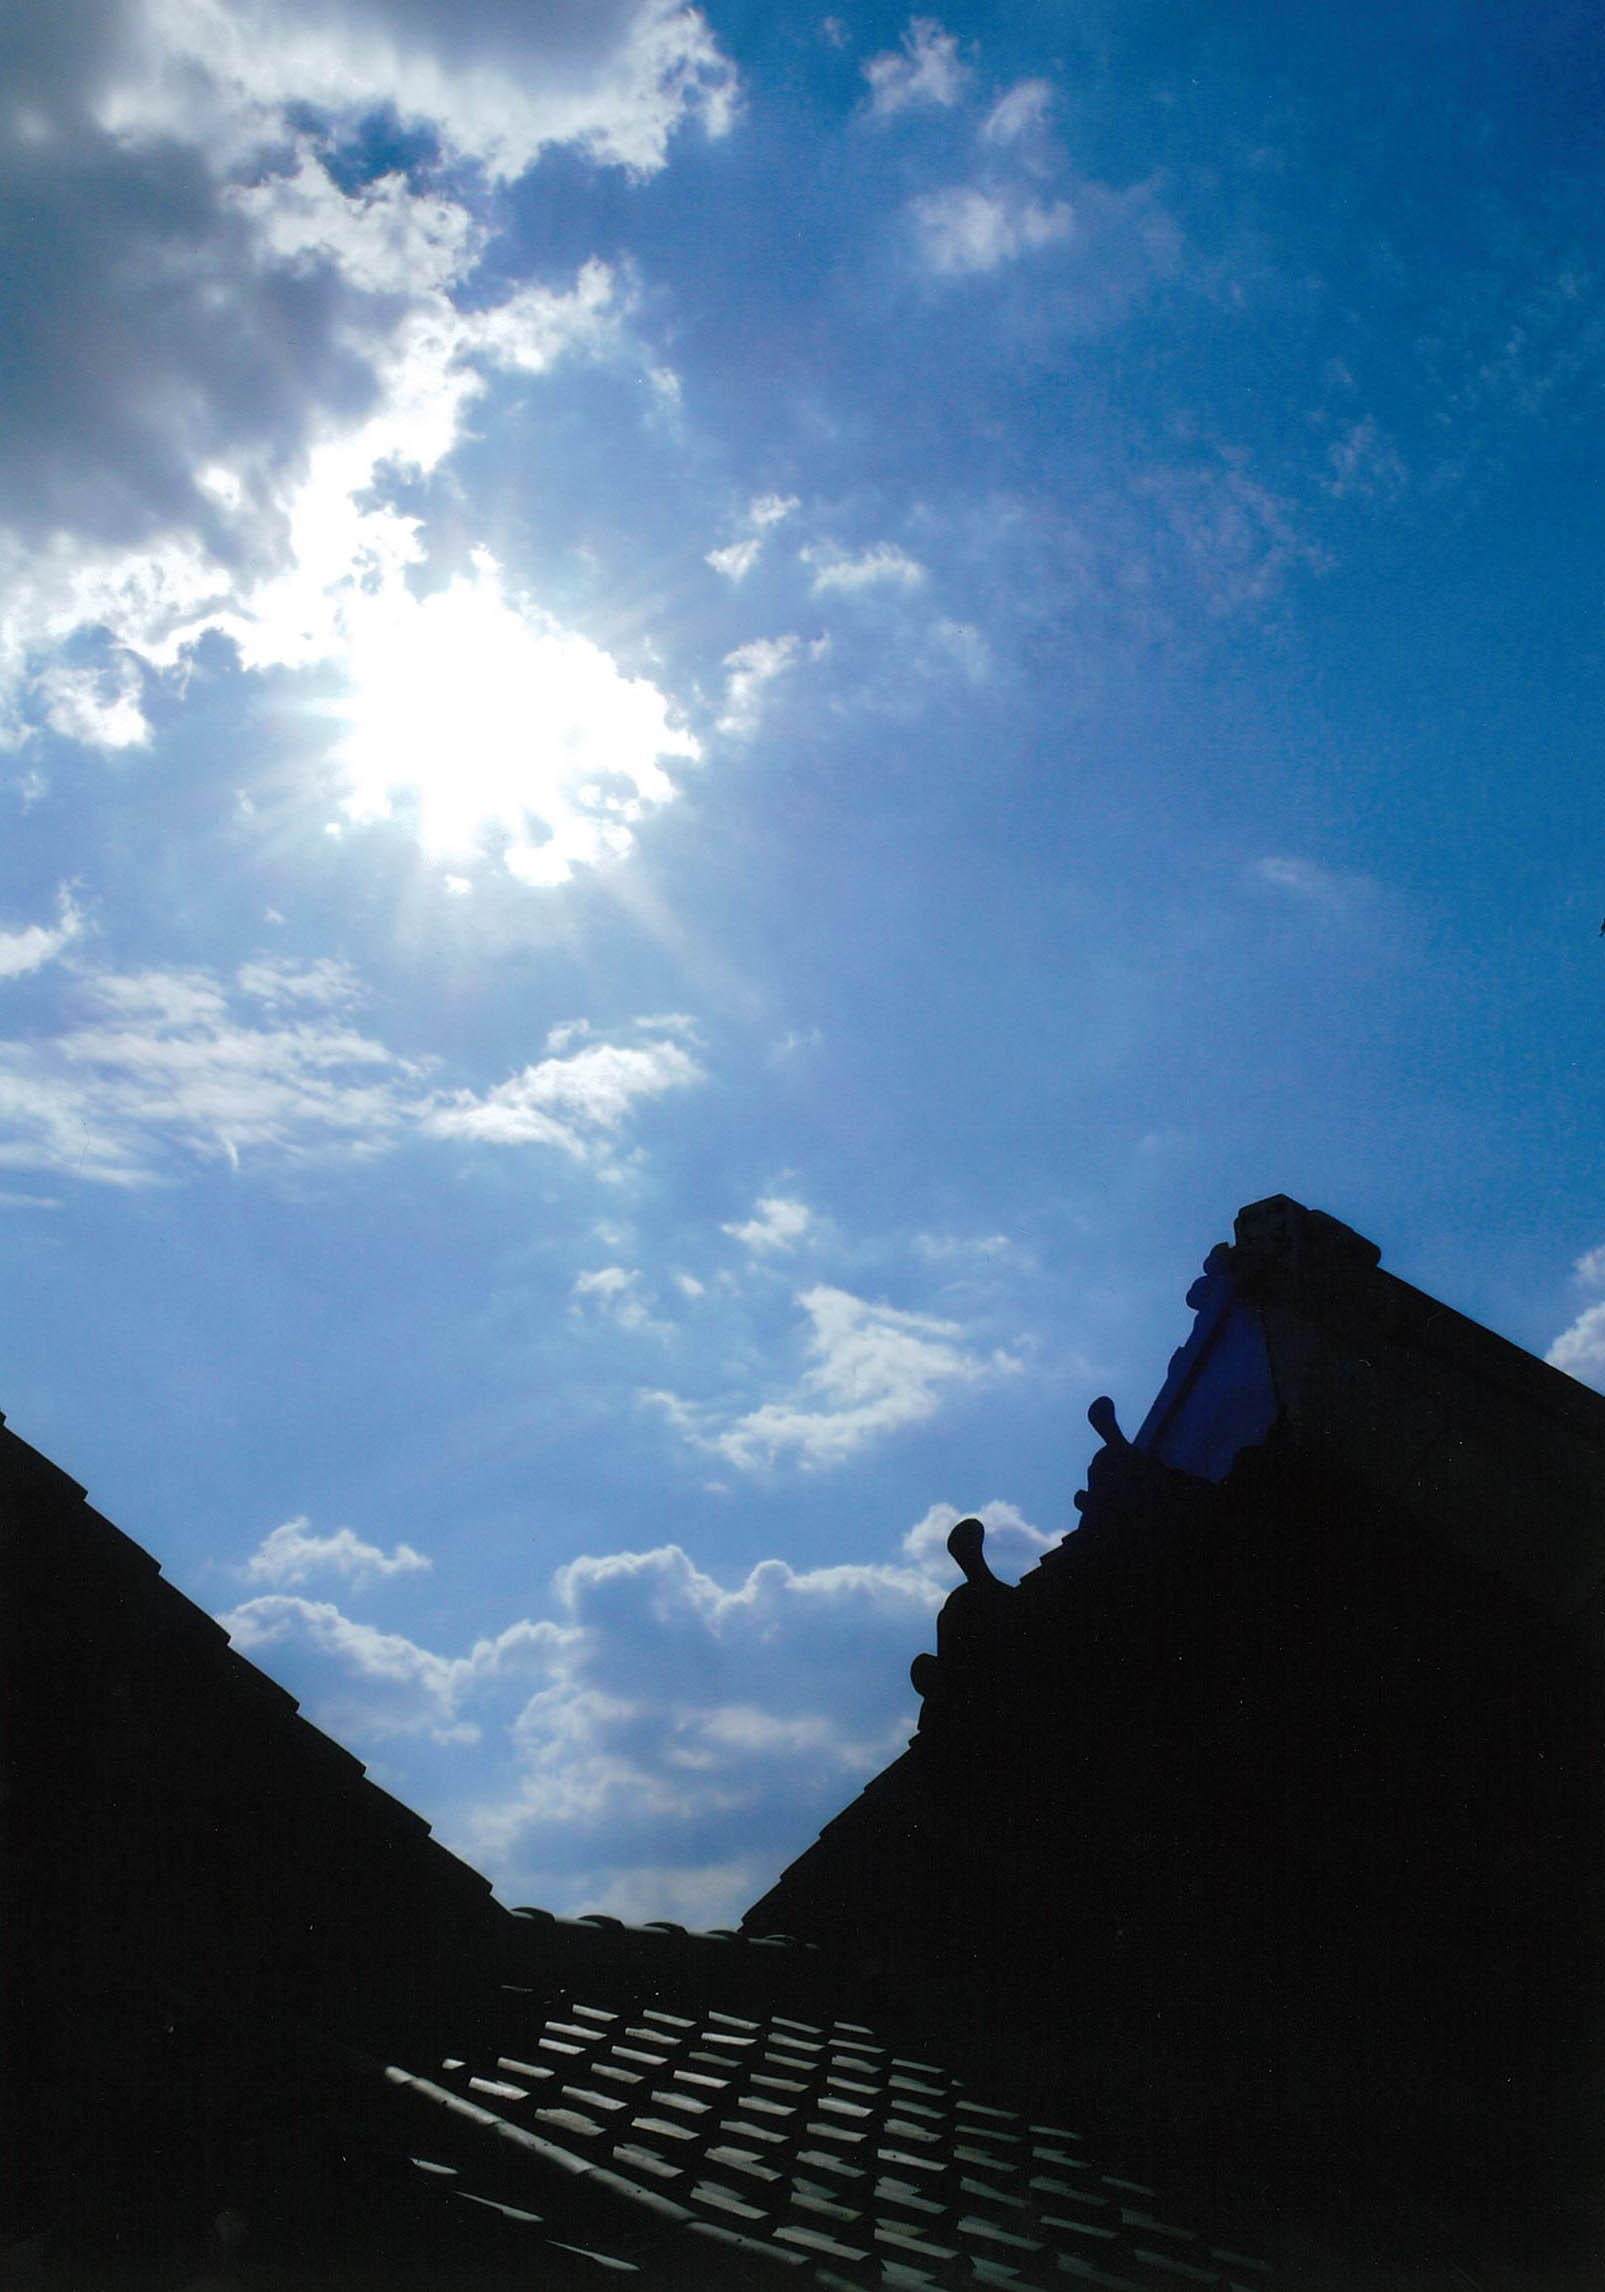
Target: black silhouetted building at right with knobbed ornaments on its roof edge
[[1267, 1816]]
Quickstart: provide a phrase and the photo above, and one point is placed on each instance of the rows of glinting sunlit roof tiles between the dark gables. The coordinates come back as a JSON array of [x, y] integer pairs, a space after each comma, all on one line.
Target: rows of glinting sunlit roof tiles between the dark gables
[[815, 2146]]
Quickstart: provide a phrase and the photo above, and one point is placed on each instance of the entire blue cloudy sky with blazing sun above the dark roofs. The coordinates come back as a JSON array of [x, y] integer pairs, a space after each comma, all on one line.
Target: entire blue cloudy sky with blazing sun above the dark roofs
[[714, 725]]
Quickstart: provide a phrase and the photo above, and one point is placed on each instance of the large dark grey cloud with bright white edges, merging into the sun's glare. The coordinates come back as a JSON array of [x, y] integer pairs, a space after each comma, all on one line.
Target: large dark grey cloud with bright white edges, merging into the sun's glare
[[240, 347]]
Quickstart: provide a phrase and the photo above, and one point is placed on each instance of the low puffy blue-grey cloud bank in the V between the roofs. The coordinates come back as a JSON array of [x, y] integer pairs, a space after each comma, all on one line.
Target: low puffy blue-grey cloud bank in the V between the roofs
[[657, 1743]]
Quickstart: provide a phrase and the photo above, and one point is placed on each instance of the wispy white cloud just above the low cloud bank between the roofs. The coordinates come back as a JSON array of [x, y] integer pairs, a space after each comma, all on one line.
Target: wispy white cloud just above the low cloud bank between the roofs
[[872, 1372]]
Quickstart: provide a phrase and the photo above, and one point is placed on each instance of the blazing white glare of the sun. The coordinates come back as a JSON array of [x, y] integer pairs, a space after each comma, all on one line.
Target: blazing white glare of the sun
[[499, 732]]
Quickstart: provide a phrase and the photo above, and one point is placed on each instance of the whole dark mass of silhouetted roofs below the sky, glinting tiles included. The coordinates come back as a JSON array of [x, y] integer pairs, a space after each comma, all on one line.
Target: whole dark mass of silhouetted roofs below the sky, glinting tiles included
[[1232, 1917]]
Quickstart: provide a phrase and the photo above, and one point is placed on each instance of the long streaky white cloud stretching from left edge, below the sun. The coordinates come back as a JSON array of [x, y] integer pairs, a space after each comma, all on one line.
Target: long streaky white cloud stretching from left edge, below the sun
[[159, 1069]]
